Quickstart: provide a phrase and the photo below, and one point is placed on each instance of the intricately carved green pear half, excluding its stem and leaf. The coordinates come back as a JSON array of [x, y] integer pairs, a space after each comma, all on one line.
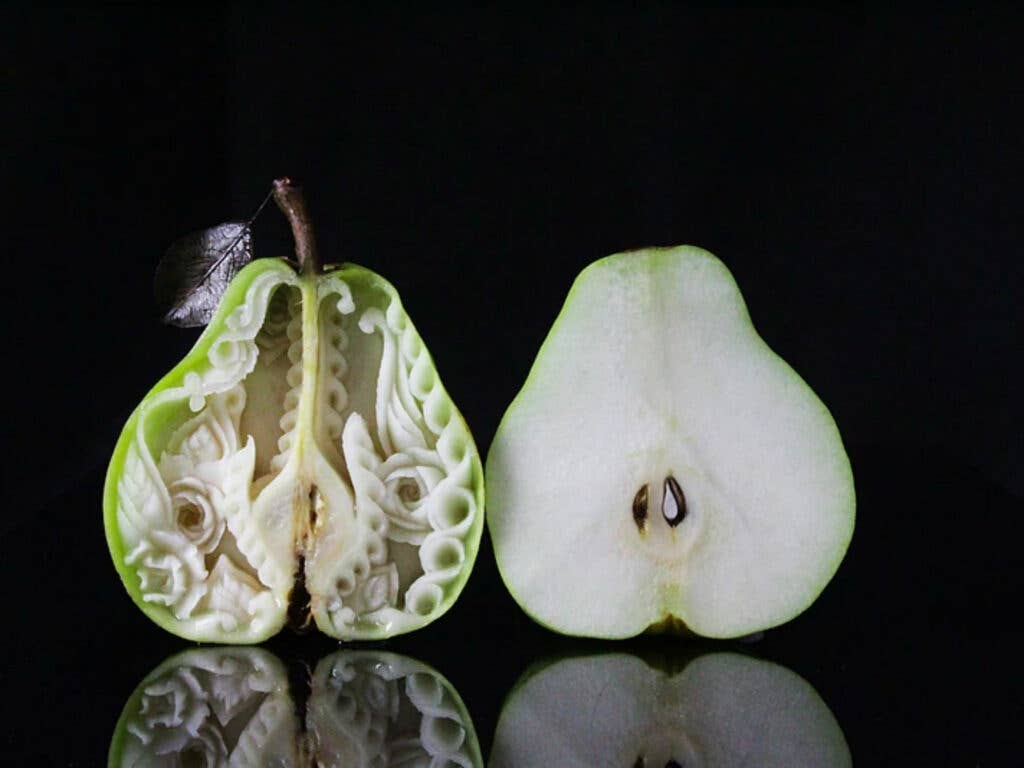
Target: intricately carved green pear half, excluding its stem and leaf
[[307, 439]]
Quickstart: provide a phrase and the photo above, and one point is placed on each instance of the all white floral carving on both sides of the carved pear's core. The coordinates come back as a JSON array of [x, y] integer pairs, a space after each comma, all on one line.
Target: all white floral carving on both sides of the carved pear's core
[[412, 481]]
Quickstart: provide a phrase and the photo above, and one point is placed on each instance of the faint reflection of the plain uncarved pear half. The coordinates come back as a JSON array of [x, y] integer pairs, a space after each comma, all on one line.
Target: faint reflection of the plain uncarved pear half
[[616, 710]]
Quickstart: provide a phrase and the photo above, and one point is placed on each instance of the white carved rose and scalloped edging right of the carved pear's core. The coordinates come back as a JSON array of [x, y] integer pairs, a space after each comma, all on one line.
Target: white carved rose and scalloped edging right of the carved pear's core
[[414, 485]]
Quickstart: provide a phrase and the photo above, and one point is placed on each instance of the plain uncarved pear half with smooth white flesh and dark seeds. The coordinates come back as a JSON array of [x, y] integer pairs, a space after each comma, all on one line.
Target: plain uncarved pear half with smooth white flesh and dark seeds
[[662, 467]]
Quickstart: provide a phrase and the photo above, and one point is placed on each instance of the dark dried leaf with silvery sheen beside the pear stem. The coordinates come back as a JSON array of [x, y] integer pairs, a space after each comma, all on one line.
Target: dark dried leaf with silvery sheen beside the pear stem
[[195, 273]]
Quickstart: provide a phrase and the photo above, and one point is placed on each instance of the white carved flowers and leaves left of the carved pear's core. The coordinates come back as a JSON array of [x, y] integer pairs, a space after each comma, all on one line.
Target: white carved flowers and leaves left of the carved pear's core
[[174, 516]]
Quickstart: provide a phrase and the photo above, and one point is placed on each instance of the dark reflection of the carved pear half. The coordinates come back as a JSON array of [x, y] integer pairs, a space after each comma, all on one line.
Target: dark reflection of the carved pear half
[[231, 707]]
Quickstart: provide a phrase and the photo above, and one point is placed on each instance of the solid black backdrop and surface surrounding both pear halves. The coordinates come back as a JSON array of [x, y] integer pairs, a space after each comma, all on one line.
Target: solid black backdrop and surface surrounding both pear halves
[[859, 172]]
